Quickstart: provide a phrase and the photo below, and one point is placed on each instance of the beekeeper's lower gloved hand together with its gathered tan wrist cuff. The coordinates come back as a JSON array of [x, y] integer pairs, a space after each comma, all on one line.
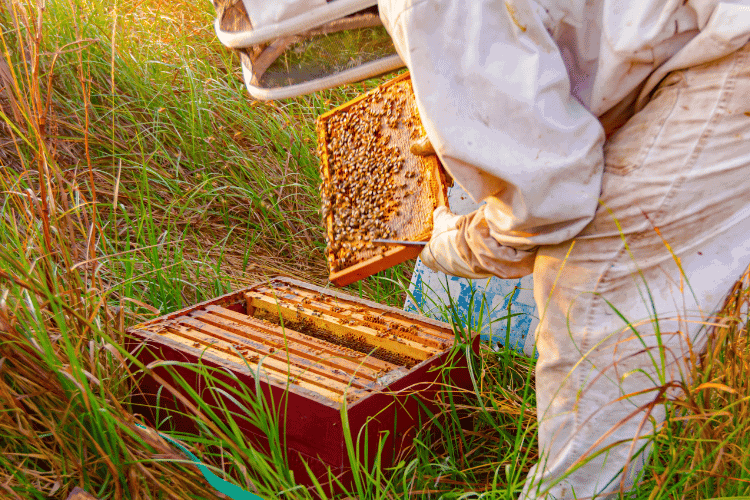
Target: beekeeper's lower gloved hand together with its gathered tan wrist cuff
[[461, 245]]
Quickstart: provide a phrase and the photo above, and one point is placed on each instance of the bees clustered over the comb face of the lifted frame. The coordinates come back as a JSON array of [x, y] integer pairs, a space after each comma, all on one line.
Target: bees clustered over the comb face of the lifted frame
[[368, 176]]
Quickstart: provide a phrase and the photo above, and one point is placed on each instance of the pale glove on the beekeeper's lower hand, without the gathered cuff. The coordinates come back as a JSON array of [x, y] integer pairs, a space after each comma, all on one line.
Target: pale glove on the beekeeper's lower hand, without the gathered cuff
[[441, 254]]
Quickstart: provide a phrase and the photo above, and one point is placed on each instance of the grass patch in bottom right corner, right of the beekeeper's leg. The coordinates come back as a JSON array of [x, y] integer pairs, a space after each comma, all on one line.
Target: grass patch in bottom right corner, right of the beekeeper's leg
[[702, 453]]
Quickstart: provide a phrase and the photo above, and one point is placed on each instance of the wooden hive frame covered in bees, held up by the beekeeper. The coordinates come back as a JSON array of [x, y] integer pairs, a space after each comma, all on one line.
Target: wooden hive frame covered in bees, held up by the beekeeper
[[373, 187]]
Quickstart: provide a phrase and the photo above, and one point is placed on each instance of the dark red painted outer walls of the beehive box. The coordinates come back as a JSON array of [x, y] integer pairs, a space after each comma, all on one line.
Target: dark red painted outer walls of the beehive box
[[311, 425]]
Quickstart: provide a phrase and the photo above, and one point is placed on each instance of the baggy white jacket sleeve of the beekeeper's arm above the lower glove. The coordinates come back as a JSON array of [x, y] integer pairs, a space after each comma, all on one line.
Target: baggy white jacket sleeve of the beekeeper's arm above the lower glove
[[494, 96]]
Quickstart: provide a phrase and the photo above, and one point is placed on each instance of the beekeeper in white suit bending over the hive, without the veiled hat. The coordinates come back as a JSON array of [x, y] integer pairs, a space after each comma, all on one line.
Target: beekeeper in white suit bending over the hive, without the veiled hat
[[610, 142]]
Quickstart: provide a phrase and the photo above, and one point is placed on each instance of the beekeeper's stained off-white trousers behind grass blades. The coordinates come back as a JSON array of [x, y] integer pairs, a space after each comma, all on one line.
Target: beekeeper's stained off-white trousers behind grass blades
[[624, 303]]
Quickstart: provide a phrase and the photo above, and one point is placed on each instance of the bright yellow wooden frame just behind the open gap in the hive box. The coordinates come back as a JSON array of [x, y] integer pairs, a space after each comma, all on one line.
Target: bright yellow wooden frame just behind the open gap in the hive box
[[331, 324]]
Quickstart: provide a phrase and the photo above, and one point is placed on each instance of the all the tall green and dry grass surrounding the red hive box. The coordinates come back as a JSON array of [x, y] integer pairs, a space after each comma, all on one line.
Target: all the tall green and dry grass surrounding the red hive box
[[137, 178]]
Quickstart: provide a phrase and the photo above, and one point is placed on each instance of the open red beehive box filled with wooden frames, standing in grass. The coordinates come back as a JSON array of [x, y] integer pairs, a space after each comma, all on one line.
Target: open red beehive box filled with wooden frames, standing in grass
[[332, 348]]
